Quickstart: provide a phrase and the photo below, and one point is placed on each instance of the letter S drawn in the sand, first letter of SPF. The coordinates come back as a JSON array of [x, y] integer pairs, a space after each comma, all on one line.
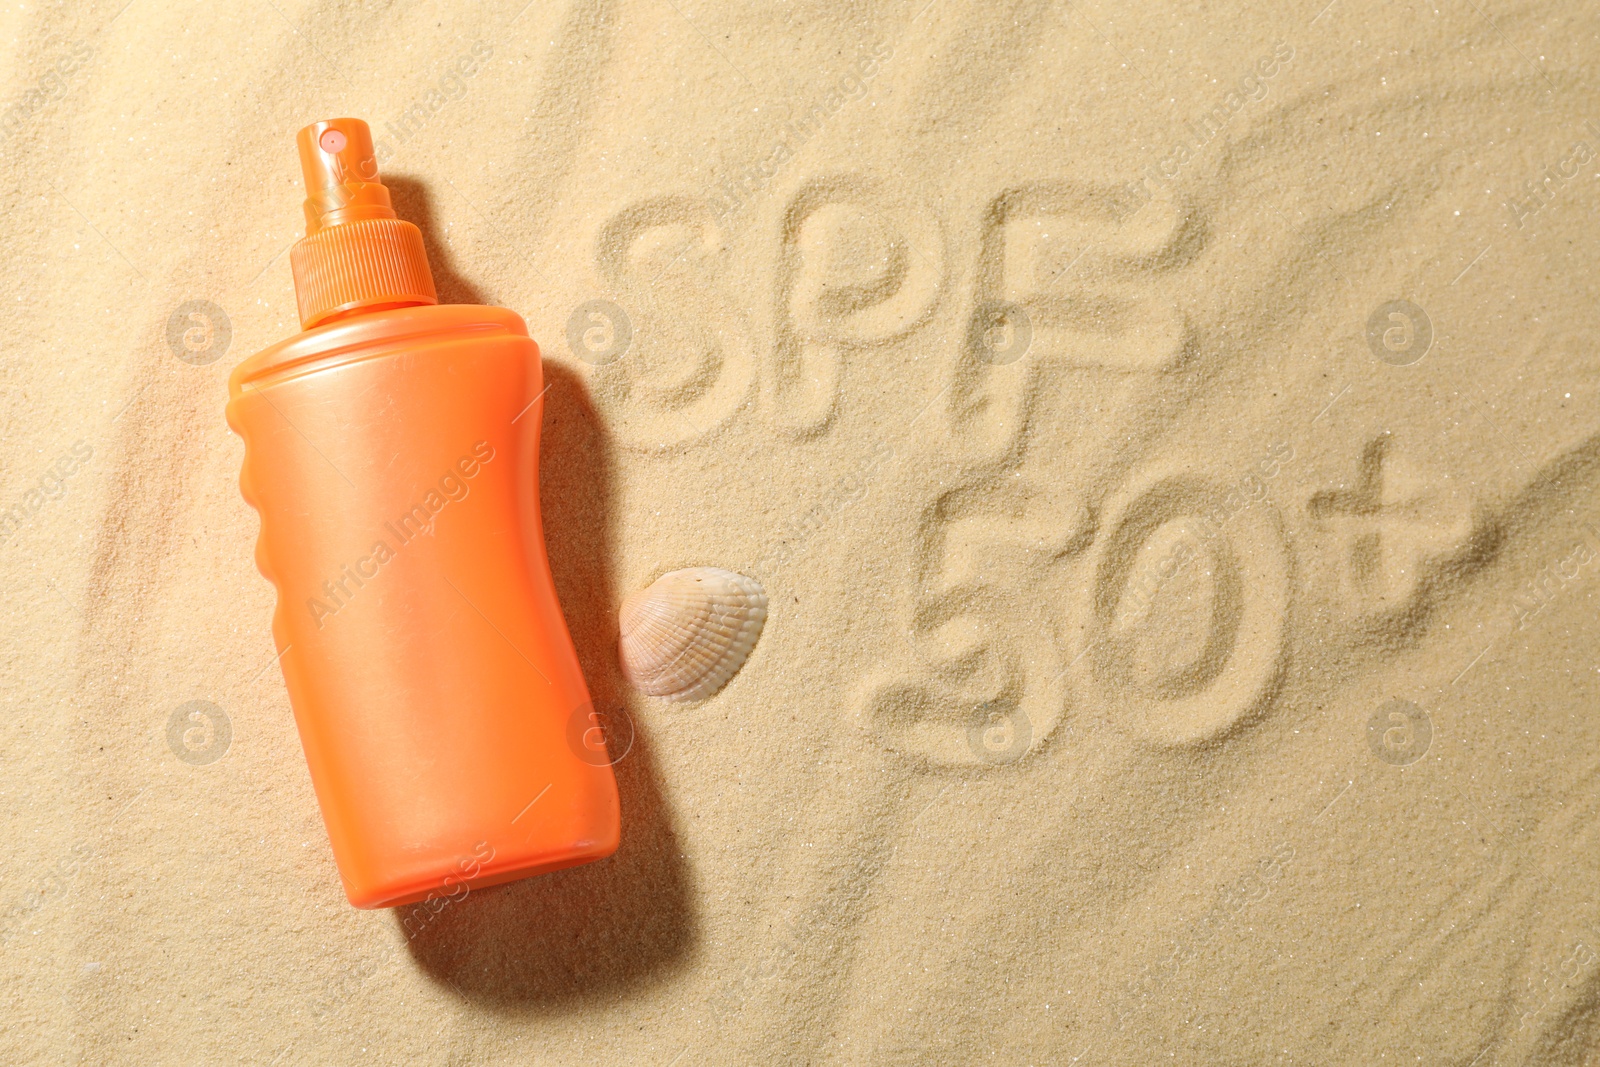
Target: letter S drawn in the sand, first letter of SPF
[[692, 366]]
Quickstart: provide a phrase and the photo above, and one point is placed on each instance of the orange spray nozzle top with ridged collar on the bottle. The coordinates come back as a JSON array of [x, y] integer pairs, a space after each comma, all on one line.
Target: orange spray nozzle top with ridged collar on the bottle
[[356, 254]]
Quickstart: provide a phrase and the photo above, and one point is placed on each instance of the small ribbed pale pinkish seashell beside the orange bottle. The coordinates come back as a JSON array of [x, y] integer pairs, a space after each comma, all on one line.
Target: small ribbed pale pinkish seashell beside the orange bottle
[[690, 631]]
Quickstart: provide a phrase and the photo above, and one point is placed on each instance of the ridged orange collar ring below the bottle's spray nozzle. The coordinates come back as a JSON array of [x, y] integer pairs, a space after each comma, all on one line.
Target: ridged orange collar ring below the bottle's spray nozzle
[[356, 265]]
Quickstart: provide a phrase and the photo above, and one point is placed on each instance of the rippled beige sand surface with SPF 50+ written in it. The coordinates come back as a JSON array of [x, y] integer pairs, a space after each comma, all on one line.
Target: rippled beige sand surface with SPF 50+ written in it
[[1169, 438]]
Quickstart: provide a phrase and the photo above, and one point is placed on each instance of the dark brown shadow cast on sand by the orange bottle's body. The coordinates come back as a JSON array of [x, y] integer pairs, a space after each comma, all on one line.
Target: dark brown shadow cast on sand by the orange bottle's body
[[558, 943]]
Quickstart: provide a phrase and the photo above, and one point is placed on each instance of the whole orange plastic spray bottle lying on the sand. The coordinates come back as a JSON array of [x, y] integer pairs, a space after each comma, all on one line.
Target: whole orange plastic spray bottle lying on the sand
[[393, 454]]
